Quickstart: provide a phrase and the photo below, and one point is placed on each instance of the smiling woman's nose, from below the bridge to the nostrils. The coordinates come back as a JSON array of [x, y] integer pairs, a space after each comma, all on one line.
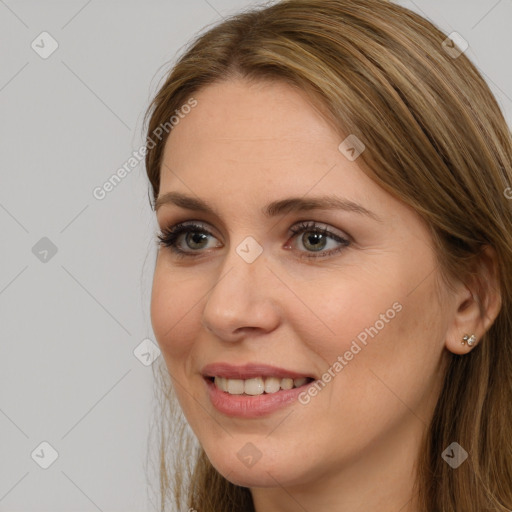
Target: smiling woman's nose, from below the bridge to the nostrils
[[242, 300]]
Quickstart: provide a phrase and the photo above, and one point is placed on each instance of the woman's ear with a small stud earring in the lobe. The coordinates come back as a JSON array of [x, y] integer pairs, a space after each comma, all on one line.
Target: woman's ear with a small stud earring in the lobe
[[477, 303]]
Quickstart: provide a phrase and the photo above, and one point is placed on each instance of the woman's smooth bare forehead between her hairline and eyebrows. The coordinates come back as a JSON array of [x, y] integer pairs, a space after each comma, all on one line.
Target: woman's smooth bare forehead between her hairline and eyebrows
[[246, 144]]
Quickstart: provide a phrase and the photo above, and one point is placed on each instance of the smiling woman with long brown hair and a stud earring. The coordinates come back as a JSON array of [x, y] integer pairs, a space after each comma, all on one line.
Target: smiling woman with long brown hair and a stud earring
[[332, 292]]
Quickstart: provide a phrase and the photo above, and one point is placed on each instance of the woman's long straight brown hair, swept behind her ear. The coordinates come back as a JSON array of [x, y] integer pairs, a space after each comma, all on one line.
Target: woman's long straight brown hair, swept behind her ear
[[436, 139]]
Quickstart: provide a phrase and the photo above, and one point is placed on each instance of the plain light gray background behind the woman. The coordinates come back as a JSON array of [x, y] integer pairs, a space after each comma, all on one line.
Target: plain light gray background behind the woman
[[69, 325]]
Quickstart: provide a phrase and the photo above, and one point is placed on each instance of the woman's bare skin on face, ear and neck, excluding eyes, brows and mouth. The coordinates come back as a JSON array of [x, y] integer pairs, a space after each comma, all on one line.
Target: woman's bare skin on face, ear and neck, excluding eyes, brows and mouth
[[353, 446]]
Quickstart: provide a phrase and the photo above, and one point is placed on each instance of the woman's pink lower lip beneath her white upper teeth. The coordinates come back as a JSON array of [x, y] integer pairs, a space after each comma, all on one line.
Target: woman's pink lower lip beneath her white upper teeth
[[247, 406]]
